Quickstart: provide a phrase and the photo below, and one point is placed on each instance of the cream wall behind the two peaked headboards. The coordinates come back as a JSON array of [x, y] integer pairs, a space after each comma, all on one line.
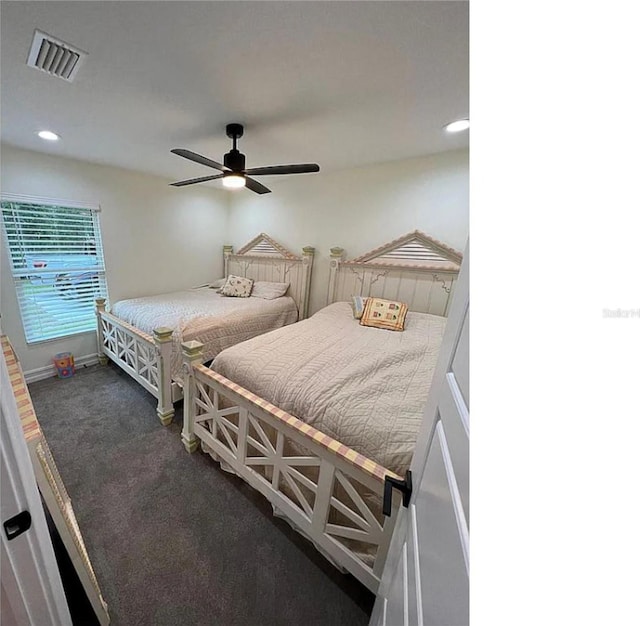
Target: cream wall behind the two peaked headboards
[[358, 209]]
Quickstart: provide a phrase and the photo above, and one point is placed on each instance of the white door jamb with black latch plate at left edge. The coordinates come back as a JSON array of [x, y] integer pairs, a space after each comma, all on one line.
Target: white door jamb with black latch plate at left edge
[[32, 593]]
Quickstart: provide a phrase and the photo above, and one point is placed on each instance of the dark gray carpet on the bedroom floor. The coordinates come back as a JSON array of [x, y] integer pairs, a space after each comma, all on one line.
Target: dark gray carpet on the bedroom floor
[[173, 539]]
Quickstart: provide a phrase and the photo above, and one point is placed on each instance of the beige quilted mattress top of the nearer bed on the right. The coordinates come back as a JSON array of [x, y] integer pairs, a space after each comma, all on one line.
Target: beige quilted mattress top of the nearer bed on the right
[[365, 387]]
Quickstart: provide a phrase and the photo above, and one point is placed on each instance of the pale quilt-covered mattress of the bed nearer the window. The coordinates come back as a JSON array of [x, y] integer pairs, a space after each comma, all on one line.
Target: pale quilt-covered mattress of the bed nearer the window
[[203, 315]]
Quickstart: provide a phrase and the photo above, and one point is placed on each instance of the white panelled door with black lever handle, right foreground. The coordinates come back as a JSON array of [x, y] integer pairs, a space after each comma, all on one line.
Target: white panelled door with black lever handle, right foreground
[[426, 577]]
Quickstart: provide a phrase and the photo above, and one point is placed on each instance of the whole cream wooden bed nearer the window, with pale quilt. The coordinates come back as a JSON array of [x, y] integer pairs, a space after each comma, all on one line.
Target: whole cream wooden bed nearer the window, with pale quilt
[[143, 335]]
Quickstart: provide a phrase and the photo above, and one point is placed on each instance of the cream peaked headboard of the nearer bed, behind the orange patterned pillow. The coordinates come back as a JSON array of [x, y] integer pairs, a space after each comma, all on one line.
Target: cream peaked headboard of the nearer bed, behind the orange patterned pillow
[[415, 269]]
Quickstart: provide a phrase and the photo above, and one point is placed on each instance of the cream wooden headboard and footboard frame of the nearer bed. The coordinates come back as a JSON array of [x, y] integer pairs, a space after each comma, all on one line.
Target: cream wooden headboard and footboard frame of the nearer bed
[[336, 499]]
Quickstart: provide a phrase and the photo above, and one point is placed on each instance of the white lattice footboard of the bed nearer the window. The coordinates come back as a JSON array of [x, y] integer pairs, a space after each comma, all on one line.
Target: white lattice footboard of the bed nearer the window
[[146, 359]]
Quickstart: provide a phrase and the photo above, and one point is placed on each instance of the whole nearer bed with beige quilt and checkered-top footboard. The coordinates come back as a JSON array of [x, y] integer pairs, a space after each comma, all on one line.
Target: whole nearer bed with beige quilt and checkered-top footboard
[[317, 414]]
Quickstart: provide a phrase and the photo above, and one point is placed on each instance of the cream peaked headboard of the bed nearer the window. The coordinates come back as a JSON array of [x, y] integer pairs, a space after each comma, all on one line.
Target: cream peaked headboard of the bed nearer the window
[[265, 259]]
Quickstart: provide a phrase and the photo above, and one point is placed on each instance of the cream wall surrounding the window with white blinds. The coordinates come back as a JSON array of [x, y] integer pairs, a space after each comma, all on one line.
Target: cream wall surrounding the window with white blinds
[[156, 238]]
